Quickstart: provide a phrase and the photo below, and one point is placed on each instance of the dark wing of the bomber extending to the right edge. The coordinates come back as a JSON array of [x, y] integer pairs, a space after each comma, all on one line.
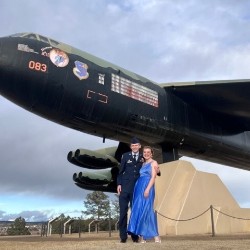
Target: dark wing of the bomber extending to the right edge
[[227, 102]]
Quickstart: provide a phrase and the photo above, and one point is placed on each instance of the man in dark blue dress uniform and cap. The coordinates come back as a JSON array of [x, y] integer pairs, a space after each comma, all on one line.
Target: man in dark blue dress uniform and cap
[[131, 164]]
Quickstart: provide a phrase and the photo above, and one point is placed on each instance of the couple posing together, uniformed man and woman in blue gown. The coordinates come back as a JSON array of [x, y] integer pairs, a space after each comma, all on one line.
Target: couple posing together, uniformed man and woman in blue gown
[[135, 187]]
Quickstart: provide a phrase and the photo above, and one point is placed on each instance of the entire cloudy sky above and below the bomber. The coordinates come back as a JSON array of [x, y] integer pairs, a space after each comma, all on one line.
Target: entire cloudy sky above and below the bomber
[[163, 40]]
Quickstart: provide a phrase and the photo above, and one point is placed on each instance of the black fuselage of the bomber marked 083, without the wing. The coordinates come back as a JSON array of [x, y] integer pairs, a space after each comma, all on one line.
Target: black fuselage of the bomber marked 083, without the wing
[[82, 92]]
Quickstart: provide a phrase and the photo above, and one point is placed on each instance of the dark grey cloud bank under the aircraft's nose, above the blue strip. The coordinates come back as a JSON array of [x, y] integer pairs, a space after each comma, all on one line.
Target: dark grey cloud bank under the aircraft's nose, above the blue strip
[[34, 155]]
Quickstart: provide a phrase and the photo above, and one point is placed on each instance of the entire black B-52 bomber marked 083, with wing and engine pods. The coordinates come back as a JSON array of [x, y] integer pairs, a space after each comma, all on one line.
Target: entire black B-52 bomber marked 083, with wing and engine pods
[[208, 120]]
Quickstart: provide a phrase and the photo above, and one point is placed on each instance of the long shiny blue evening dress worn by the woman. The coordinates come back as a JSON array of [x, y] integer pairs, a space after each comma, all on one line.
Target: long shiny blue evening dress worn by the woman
[[143, 220]]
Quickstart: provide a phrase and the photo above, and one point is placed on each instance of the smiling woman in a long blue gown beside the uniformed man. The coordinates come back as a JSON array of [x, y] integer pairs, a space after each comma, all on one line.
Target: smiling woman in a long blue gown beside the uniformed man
[[143, 219]]
